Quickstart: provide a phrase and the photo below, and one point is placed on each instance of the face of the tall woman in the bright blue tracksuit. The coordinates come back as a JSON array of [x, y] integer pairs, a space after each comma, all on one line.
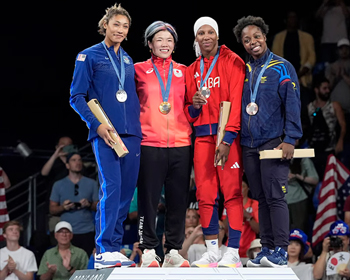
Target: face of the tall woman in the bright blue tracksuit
[[116, 29]]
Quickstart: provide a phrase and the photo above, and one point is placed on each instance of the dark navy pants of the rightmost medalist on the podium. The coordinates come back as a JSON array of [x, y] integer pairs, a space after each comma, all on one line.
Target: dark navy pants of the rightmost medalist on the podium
[[267, 181]]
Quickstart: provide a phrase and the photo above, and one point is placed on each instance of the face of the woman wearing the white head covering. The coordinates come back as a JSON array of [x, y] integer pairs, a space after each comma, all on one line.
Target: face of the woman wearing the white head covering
[[207, 40]]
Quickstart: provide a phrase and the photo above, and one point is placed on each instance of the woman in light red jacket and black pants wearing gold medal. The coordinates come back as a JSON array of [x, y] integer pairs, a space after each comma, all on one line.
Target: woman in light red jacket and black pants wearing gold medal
[[165, 147]]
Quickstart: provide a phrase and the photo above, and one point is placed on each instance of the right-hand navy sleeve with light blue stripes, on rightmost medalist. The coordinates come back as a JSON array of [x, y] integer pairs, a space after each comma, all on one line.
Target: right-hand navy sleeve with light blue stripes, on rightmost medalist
[[289, 92]]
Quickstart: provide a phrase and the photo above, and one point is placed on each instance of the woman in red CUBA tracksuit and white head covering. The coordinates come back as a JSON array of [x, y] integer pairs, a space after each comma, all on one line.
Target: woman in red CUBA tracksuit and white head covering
[[225, 83]]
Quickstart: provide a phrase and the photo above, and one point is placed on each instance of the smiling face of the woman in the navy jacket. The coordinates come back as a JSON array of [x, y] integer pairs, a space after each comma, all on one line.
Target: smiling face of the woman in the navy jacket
[[254, 41]]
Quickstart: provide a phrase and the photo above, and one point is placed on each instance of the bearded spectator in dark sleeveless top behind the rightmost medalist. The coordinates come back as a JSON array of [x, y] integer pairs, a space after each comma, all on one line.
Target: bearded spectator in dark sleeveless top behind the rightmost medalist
[[324, 115]]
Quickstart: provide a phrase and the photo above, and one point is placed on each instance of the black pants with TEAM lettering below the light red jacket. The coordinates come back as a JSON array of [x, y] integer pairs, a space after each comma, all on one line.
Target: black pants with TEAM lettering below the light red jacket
[[168, 167]]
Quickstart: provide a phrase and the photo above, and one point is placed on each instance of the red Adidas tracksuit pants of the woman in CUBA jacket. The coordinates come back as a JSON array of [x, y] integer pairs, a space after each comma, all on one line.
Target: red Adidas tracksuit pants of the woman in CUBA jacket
[[209, 179]]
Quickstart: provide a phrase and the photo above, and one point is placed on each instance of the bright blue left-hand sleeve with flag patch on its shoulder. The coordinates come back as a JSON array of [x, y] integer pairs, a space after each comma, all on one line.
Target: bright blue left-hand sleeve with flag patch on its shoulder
[[82, 77]]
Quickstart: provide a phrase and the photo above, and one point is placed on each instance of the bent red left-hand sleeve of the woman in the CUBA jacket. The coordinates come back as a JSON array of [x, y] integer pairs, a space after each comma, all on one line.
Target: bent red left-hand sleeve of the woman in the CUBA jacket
[[191, 113]]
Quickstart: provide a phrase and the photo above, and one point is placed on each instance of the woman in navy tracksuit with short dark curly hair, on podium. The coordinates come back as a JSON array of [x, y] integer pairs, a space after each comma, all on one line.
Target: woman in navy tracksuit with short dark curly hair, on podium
[[270, 120]]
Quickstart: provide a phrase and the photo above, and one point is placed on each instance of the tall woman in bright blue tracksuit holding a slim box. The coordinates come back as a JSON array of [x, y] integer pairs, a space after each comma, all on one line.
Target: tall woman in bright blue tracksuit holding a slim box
[[97, 77]]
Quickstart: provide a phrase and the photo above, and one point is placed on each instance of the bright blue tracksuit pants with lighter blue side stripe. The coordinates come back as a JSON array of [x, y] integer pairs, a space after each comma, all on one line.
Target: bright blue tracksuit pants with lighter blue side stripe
[[117, 178]]
